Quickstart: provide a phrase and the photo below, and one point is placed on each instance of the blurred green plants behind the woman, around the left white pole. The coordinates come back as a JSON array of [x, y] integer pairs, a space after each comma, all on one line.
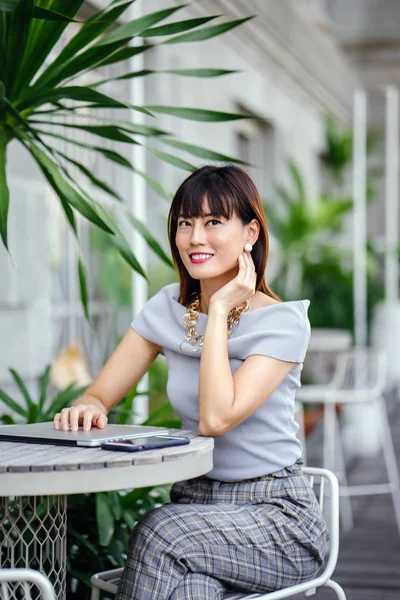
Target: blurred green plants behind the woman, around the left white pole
[[316, 263]]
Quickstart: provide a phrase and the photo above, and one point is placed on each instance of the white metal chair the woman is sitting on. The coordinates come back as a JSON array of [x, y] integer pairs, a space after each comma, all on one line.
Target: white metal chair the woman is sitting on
[[325, 481]]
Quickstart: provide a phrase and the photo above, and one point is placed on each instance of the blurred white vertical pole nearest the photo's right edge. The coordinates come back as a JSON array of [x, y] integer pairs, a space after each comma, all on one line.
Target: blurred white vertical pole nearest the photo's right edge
[[391, 194]]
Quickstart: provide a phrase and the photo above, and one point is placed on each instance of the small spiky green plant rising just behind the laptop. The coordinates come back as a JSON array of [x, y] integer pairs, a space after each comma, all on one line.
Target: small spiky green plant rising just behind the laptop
[[36, 411]]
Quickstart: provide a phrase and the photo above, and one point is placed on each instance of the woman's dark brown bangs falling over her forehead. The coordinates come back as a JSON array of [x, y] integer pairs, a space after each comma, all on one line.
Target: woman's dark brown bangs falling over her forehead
[[213, 189]]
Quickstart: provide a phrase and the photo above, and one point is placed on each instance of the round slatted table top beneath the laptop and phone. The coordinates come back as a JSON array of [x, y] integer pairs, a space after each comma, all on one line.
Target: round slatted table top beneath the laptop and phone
[[39, 469]]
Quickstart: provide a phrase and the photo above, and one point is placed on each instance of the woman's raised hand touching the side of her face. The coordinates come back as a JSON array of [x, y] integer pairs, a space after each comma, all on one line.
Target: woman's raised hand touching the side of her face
[[239, 289]]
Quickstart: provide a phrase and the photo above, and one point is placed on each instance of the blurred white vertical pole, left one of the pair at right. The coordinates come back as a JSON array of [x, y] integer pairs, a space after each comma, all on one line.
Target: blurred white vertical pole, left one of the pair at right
[[360, 215]]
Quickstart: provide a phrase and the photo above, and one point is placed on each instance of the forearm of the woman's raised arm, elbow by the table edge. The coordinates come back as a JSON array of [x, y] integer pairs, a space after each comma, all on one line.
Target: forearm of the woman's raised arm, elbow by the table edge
[[216, 387]]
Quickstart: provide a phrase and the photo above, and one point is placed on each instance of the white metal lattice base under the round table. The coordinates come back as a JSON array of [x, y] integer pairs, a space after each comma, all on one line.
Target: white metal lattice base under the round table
[[33, 534]]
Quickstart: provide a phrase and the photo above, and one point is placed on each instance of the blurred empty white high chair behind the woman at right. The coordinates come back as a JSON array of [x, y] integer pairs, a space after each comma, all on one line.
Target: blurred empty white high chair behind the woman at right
[[360, 377]]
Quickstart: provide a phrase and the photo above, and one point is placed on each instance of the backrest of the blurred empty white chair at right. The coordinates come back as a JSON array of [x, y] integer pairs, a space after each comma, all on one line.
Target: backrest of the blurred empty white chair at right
[[361, 371]]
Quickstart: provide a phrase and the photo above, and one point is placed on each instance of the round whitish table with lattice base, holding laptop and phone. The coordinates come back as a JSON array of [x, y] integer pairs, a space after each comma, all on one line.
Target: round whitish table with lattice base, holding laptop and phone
[[35, 480]]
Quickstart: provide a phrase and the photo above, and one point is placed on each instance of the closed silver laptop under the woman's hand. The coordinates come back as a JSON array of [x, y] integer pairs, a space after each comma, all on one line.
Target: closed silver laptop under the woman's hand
[[44, 433]]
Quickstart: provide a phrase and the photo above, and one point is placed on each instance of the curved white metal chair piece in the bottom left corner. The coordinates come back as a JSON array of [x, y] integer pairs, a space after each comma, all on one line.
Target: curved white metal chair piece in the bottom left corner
[[25, 578]]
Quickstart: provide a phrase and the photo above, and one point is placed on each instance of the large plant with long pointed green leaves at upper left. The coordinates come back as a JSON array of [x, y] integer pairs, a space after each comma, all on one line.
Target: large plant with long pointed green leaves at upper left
[[38, 94]]
